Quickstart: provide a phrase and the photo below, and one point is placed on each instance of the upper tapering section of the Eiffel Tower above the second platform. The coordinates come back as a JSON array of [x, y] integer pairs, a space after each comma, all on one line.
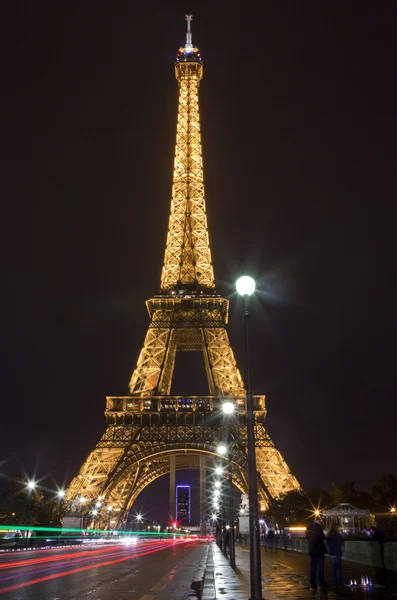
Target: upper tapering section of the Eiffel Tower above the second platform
[[187, 260]]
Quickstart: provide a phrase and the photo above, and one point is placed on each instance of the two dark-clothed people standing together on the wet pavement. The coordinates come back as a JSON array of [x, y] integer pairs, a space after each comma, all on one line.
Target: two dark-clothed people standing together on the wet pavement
[[317, 550]]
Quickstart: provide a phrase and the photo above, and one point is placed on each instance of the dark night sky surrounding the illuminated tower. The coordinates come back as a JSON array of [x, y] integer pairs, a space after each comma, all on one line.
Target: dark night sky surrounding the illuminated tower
[[298, 109]]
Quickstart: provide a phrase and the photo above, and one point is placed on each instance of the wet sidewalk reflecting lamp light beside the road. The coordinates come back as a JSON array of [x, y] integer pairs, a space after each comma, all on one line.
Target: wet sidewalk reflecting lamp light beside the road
[[284, 576]]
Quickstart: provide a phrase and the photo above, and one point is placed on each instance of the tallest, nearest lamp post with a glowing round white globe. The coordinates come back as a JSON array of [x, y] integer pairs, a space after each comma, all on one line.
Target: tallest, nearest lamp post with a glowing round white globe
[[245, 287]]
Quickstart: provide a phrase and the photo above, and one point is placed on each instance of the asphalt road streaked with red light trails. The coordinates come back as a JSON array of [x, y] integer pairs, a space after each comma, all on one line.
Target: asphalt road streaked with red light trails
[[139, 571]]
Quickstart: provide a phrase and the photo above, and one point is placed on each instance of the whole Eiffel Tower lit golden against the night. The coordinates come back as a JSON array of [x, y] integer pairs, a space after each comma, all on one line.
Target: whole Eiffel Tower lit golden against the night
[[150, 433]]
